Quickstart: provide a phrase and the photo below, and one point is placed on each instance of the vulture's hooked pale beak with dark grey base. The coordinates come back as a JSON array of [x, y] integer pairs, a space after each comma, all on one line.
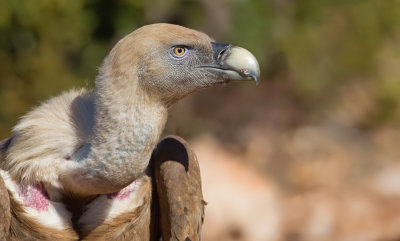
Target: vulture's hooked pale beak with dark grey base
[[237, 63]]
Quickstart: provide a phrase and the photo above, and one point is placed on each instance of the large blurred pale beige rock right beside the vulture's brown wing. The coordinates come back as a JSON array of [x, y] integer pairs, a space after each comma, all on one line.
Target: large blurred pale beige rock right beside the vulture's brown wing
[[241, 204]]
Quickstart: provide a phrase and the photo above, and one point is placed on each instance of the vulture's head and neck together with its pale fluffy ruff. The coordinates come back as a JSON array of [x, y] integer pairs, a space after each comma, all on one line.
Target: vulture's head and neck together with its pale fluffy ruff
[[89, 142]]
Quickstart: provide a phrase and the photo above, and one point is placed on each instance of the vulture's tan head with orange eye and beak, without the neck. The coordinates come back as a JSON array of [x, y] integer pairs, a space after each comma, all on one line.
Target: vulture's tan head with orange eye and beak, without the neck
[[168, 62]]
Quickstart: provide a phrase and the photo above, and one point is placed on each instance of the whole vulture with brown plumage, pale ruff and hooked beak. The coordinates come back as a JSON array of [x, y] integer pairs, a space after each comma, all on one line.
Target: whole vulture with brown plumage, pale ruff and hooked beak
[[89, 164]]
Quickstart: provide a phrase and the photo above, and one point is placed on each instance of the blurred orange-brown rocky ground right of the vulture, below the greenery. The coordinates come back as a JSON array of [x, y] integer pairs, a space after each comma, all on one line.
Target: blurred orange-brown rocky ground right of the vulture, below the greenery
[[322, 183]]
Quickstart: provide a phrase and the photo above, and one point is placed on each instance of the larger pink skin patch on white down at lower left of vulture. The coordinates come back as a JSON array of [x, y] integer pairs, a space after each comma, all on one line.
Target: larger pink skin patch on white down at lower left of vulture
[[34, 196]]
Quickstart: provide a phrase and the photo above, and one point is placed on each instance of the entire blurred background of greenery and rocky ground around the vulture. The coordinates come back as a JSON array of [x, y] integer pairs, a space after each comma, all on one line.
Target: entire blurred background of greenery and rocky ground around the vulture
[[312, 153]]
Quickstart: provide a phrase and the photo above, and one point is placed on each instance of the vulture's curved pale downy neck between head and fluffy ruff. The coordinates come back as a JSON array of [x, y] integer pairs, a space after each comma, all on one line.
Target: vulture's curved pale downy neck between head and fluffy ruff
[[128, 124]]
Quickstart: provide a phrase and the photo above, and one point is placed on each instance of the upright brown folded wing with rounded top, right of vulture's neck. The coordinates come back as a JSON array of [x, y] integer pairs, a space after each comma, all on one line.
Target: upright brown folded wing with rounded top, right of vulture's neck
[[178, 182]]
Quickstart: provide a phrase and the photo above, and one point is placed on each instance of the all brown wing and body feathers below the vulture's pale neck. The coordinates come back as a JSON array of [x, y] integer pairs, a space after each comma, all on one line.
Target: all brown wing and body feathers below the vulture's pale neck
[[177, 209]]
